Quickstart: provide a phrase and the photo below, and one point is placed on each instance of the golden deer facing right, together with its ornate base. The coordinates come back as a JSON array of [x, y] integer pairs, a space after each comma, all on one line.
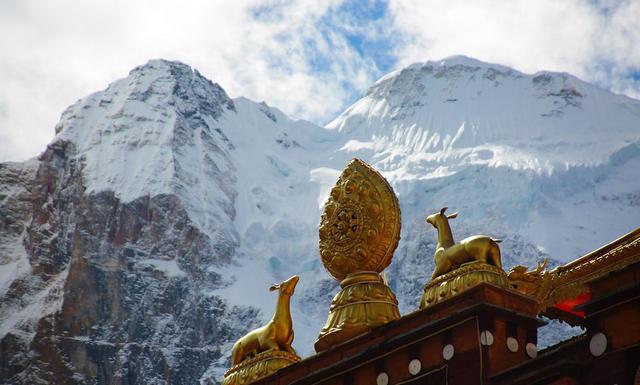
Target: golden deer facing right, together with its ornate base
[[268, 348]]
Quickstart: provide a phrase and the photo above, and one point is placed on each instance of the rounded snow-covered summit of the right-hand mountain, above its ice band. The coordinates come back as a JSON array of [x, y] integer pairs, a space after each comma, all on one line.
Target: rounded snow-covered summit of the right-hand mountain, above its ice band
[[452, 105]]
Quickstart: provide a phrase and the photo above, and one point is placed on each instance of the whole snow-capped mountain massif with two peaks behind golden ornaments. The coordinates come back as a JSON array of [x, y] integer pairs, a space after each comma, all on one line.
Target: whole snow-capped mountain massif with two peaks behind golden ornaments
[[140, 245]]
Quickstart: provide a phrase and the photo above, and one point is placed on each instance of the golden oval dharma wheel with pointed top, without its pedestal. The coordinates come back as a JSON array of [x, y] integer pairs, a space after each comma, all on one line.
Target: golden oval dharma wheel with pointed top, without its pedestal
[[360, 223]]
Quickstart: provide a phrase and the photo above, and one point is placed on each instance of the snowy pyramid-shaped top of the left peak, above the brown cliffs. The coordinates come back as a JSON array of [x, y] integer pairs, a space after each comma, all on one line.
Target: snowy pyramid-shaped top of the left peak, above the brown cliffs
[[137, 136]]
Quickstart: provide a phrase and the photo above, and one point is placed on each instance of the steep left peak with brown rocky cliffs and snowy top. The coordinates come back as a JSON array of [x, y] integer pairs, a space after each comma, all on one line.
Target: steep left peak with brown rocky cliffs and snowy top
[[117, 290]]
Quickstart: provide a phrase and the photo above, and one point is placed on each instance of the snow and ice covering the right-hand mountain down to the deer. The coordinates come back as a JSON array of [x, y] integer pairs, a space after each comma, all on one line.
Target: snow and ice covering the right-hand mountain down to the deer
[[534, 153]]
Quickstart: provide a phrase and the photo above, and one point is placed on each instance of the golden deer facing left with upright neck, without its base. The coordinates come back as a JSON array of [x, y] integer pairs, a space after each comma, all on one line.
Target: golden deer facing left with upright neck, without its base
[[450, 255]]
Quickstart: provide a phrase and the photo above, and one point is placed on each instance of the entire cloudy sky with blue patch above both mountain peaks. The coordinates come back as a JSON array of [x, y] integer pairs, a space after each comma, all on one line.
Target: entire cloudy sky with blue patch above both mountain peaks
[[329, 52]]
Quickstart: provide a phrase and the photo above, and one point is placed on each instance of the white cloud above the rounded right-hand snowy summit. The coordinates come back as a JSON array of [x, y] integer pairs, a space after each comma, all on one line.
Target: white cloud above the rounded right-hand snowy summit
[[597, 41]]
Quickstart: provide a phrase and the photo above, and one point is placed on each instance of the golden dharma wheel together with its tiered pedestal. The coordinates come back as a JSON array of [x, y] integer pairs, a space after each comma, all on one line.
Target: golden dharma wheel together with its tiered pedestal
[[359, 231]]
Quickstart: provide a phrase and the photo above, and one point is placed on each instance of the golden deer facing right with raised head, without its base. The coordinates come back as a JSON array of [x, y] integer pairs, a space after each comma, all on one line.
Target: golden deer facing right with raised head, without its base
[[277, 334]]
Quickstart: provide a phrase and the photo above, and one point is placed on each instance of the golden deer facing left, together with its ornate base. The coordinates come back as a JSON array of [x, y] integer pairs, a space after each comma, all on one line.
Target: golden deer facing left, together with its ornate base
[[462, 265]]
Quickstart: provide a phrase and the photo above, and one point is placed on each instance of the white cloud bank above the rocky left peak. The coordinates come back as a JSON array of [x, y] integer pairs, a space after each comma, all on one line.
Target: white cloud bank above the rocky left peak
[[53, 53]]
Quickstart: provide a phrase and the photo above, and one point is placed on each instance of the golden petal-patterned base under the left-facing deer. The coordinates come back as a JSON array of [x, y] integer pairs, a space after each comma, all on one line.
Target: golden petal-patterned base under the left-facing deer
[[461, 279]]
